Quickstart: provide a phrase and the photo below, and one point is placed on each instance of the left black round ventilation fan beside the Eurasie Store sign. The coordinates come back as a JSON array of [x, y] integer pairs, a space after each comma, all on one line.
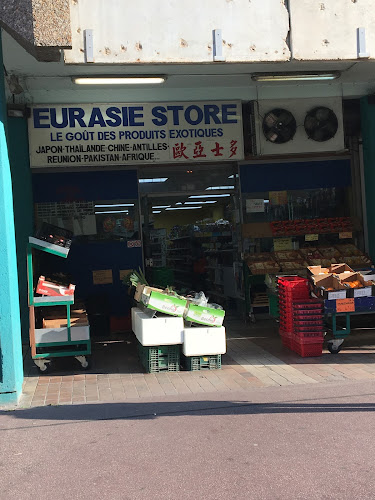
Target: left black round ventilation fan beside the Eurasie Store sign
[[279, 126]]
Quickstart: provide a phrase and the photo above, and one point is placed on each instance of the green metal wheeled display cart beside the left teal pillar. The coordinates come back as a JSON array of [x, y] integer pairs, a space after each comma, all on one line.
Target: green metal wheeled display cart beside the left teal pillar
[[68, 340]]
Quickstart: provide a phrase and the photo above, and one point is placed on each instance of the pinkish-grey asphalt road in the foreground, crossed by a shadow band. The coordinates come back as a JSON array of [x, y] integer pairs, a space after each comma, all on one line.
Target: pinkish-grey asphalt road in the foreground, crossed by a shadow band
[[294, 442]]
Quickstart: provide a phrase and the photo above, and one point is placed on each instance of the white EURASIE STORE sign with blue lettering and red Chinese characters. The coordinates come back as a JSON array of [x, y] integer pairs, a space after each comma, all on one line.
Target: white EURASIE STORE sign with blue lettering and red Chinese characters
[[121, 134]]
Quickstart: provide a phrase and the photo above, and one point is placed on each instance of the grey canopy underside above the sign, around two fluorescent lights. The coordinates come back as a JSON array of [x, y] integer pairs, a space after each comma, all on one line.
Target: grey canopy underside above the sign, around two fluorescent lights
[[51, 82]]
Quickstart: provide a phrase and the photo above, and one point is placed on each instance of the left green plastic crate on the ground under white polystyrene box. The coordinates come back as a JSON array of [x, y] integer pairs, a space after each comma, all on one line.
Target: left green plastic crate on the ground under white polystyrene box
[[160, 358]]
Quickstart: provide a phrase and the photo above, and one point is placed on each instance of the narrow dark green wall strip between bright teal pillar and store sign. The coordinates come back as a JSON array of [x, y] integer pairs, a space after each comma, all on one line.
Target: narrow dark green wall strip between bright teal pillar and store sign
[[23, 207]]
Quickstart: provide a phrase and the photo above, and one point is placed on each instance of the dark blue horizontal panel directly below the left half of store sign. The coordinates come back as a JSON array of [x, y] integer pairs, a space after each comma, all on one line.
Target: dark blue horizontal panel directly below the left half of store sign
[[68, 186]]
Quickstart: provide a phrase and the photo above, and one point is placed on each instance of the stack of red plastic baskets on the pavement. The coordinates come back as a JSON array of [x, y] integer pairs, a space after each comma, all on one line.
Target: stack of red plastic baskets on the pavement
[[301, 318]]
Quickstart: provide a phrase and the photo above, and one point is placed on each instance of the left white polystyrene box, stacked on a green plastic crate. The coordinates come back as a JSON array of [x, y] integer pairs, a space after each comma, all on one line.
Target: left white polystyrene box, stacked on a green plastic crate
[[167, 330]]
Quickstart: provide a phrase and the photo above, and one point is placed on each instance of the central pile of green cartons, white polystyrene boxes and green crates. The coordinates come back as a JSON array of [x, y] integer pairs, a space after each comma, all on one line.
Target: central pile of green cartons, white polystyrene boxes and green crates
[[163, 321]]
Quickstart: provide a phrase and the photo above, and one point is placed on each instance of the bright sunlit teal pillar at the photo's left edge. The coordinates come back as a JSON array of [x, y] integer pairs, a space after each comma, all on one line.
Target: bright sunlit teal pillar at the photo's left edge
[[11, 369]]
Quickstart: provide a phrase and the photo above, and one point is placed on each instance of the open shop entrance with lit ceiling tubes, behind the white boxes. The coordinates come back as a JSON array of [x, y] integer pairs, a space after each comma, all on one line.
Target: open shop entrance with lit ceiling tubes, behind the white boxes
[[191, 231]]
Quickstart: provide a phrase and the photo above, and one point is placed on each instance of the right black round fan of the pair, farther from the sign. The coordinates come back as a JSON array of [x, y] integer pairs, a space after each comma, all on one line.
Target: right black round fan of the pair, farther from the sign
[[321, 124]]
